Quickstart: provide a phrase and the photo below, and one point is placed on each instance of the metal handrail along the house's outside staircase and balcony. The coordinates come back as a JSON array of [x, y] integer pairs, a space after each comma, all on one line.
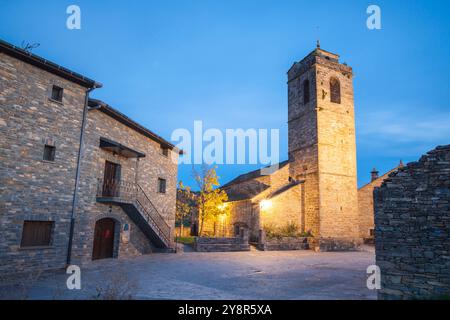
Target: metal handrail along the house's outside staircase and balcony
[[131, 192]]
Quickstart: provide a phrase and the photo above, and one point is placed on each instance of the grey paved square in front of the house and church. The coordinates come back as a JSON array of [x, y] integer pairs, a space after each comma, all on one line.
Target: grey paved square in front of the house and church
[[236, 275]]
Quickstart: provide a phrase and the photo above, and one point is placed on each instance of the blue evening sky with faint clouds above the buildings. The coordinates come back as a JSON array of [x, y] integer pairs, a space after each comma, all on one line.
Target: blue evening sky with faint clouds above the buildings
[[168, 63]]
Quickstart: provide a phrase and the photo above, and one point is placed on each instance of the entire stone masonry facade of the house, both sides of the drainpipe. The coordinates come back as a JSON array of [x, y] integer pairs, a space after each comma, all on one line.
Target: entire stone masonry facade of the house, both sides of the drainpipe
[[33, 189]]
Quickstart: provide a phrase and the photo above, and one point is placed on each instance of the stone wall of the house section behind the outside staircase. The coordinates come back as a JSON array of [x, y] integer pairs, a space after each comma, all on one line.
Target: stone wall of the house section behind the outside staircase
[[144, 171]]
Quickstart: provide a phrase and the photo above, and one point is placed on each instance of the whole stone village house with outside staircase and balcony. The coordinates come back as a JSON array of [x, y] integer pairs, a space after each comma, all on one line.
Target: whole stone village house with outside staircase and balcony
[[78, 179]]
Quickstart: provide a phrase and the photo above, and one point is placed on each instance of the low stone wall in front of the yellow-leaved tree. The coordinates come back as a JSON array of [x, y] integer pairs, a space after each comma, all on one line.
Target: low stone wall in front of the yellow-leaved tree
[[205, 244]]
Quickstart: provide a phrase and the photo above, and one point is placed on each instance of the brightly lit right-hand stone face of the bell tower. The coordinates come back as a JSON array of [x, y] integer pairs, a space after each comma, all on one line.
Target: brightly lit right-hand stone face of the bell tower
[[337, 159]]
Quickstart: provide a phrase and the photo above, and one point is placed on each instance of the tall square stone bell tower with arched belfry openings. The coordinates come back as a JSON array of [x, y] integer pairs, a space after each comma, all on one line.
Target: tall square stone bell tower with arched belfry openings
[[322, 148]]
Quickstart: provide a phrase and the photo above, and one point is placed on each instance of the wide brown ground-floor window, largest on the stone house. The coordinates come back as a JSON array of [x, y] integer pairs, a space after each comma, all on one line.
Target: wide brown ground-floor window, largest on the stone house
[[36, 233]]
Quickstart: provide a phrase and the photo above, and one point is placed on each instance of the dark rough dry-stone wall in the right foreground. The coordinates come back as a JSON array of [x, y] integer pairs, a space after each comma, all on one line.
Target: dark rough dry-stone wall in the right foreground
[[412, 229]]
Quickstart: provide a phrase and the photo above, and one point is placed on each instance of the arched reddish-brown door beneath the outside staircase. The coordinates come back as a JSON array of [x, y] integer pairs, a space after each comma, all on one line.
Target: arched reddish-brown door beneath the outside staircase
[[103, 239]]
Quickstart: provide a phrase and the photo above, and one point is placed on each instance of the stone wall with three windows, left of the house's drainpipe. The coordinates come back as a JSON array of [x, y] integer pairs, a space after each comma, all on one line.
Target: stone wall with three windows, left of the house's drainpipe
[[31, 188]]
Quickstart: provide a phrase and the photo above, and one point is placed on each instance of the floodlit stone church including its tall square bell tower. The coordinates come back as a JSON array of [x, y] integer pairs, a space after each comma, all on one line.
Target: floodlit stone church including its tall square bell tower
[[316, 189]]
